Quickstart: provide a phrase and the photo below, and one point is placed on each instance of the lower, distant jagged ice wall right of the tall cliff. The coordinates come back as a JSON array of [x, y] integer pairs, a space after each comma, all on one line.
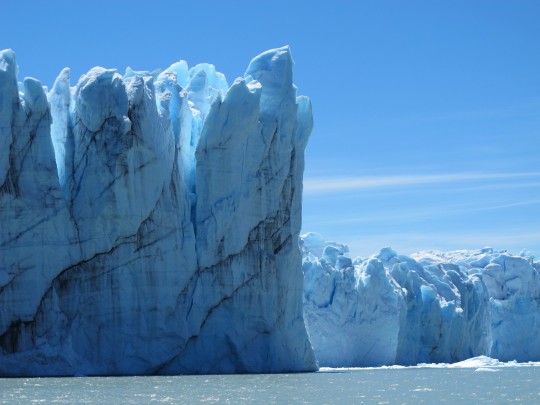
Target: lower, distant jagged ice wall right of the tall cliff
[[430, 307]]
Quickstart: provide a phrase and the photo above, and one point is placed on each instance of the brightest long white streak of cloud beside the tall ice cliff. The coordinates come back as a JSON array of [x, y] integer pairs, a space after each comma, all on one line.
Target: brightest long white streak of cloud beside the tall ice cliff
[[334, 184]]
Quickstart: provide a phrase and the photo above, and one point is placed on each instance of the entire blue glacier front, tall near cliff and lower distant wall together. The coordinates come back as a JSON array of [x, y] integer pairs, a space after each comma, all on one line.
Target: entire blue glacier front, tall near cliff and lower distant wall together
[[150, 224]]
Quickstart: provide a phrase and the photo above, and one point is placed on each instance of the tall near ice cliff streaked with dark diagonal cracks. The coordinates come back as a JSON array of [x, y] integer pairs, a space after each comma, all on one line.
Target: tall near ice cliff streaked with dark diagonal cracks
[[149, 222]]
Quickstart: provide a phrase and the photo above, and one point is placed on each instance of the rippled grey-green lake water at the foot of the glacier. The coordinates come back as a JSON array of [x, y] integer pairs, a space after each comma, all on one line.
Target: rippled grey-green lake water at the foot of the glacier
[[359, 386]]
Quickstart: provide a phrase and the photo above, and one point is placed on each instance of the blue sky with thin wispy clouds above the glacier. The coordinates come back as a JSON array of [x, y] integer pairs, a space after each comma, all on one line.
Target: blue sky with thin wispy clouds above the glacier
[[427, 113]]
